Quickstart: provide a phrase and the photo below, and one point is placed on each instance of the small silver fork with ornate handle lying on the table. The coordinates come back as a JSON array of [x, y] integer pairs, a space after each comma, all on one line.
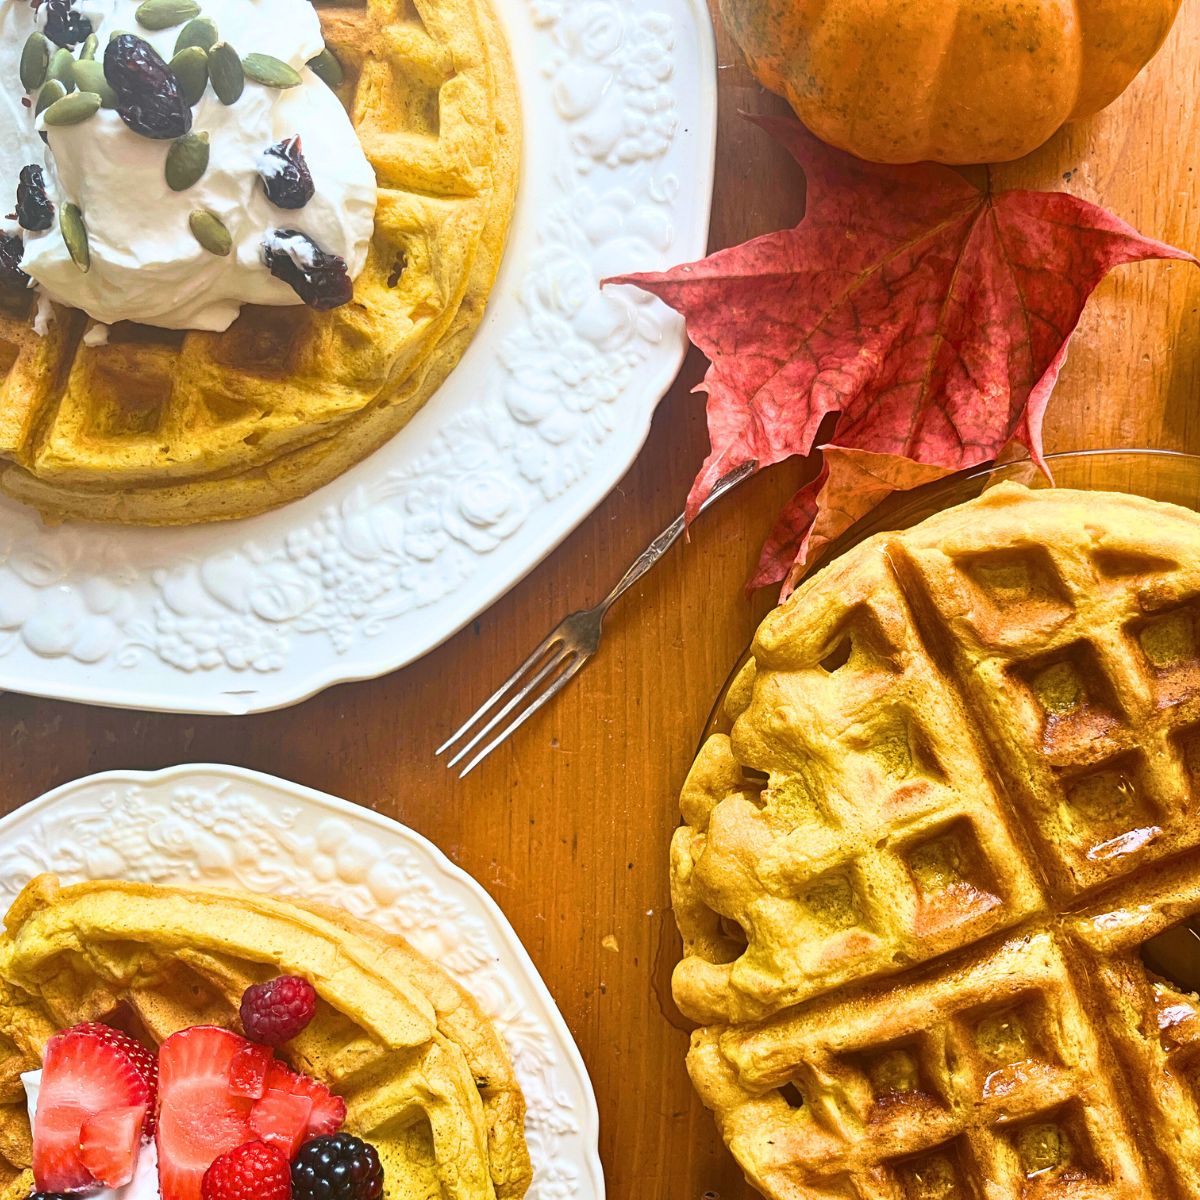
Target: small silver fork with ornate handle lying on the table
[[563, 655]]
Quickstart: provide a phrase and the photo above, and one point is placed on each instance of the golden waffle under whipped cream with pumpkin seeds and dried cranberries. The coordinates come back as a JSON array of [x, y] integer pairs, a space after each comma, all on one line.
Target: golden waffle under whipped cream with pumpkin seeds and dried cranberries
[[161, 428]]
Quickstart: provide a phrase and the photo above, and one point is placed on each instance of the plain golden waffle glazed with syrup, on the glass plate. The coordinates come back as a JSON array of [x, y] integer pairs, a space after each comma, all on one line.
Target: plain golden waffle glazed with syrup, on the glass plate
[[916, 881]]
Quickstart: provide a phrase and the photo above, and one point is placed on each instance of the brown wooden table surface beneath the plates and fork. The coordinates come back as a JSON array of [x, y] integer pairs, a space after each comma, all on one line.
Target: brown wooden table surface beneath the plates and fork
[[568, 827]]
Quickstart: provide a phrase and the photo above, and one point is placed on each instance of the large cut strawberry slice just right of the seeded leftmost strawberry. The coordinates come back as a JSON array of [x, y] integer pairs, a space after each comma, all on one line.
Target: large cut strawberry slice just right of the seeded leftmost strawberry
[[199, 1118]]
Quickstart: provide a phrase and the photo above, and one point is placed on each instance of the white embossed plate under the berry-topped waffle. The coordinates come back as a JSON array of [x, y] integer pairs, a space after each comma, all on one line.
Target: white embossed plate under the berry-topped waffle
[[227, 827]]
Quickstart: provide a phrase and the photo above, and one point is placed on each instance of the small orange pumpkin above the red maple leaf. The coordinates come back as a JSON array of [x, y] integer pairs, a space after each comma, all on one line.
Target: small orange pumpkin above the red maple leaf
[[955, 81]]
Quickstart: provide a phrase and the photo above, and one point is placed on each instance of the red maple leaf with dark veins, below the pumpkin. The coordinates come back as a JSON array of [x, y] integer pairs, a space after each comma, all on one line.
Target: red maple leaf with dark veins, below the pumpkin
[[931, 317]]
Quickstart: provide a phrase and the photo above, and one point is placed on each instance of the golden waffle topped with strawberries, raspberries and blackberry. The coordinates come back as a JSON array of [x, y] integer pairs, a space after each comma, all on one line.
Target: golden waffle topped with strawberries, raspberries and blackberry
[[424, 1073]]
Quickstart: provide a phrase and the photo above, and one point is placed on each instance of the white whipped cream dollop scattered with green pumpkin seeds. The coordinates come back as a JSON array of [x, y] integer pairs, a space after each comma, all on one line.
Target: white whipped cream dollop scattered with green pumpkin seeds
[[147, 266]]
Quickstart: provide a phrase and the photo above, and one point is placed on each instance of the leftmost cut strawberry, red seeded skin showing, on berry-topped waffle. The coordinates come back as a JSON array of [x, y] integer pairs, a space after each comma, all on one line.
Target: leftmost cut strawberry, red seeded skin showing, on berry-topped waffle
[[87, 1071]]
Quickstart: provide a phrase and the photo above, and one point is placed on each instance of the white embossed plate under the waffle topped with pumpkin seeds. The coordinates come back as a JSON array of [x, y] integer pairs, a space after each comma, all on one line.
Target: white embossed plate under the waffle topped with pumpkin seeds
[[542, 419]]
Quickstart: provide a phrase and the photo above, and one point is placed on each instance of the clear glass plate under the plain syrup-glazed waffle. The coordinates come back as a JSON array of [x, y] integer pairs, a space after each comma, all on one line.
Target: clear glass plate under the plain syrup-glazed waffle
[[1157, 475]]
